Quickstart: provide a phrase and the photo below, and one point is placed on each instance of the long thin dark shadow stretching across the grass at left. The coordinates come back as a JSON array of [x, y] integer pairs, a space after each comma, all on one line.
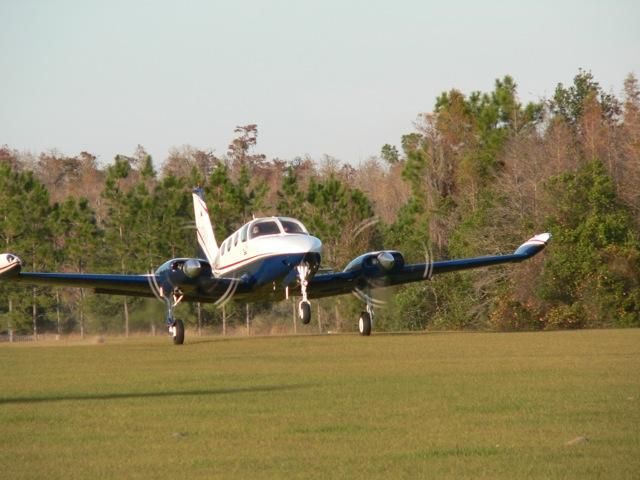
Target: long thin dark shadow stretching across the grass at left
[[134, 395]]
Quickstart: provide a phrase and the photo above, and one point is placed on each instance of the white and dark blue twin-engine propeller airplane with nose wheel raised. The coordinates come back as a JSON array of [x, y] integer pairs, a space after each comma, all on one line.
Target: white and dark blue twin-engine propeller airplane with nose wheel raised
[[267, 259]]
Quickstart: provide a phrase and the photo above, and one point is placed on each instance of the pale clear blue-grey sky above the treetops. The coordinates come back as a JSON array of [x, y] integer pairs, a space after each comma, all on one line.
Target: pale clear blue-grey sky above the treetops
[[334, 77]]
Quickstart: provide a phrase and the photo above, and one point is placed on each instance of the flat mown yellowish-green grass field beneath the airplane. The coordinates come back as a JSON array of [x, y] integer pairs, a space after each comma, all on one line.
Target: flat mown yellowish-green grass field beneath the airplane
[[389, 406]]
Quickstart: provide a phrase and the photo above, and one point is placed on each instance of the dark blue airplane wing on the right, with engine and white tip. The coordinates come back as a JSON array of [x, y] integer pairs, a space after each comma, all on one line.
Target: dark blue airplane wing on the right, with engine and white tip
[[370, 269]]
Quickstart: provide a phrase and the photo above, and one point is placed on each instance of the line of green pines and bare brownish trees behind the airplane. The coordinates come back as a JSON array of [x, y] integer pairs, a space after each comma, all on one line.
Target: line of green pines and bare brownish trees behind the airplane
[[479, 175]]
